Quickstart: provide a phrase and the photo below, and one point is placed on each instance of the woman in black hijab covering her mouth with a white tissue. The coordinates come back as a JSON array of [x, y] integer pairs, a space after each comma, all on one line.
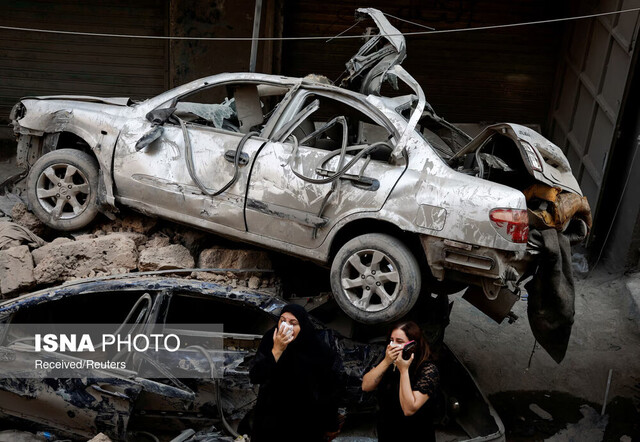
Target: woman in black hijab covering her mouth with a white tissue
[[297, 398]]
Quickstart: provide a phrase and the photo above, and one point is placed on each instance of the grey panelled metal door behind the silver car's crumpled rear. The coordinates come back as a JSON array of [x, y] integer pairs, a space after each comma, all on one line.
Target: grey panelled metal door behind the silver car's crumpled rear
[[594, 78]]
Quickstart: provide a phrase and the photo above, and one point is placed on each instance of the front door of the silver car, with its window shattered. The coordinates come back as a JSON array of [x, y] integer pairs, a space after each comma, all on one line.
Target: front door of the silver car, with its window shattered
[[189, 171]]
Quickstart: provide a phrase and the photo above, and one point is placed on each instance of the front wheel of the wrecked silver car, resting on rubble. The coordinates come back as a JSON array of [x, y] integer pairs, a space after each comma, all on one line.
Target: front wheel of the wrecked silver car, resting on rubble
[[62, 189]]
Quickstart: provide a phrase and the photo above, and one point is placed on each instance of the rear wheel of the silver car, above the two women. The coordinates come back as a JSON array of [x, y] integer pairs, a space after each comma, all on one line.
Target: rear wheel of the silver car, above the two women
[[375, 278]]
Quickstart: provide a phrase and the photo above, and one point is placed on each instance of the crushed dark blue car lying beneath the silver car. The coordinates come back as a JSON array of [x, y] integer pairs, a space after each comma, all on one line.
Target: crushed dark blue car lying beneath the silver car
[[126, 405]]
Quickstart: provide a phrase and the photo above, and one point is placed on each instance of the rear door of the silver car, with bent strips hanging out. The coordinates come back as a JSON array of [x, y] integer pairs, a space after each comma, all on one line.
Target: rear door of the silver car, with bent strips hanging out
[[295, 195]]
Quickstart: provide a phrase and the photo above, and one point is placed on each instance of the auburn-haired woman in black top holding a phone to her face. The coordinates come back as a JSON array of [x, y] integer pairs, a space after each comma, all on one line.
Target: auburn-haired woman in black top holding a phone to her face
[[407, 389]]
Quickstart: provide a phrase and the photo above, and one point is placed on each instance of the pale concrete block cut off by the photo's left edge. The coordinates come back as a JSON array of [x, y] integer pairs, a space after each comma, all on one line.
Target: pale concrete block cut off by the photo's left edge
[[16, 270]]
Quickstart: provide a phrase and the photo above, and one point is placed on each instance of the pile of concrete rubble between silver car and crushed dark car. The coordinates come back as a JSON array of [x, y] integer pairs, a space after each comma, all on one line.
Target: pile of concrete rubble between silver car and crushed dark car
[[36, 256]]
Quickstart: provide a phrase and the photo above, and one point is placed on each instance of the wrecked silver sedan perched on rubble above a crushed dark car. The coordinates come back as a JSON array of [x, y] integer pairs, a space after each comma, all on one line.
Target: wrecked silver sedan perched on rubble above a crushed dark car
[[390, 196]]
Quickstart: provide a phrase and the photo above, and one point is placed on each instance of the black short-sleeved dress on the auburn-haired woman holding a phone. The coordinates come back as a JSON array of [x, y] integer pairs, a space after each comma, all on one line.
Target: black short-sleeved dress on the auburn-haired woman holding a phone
[[393, 425]]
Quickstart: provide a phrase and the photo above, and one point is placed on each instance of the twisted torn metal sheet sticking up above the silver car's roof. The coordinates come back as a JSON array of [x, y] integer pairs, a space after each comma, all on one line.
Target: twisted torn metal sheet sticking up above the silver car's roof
[[367, 68]]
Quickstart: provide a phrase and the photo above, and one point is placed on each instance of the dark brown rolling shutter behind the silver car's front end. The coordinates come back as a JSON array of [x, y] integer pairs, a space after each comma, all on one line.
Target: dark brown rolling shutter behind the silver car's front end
[[51, 64]]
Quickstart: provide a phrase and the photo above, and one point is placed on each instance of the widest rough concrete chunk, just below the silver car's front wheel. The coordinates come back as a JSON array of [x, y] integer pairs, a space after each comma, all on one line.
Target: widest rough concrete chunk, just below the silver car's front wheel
[[64, 259]]
